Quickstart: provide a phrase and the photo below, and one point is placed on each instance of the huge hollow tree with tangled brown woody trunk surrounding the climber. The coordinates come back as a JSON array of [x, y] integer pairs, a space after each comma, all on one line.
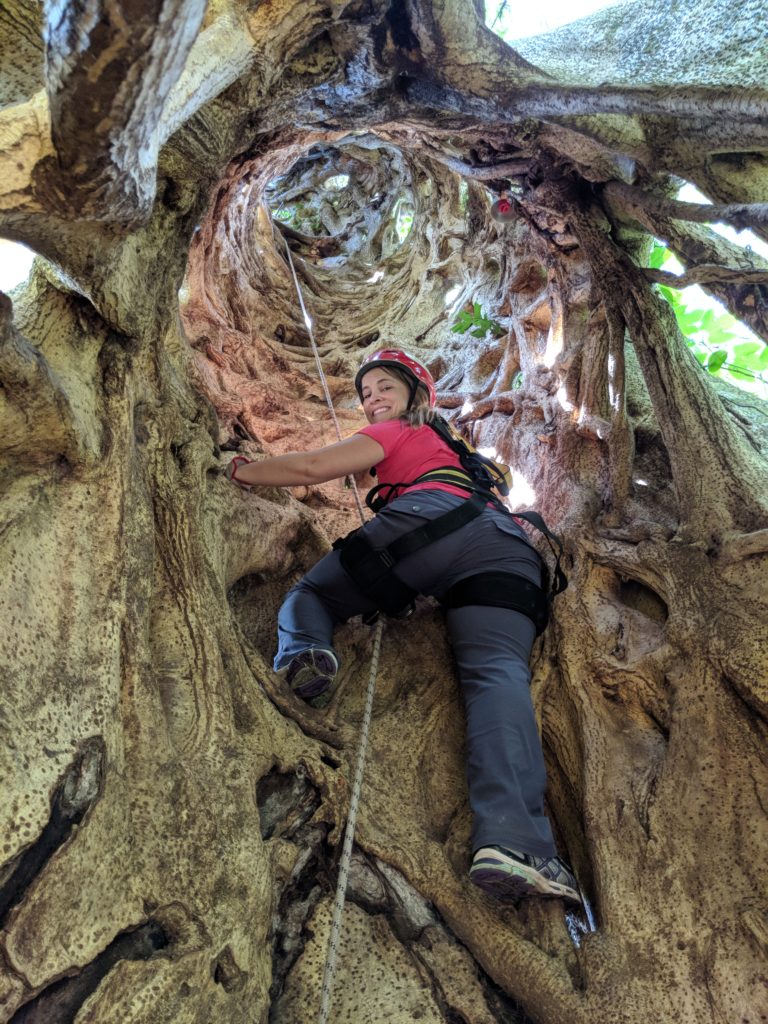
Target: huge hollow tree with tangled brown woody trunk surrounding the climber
[[172, 817]]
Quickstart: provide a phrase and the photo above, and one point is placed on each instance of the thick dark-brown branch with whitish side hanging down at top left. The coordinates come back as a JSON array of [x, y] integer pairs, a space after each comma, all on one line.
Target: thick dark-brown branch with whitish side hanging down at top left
[[110, 70]]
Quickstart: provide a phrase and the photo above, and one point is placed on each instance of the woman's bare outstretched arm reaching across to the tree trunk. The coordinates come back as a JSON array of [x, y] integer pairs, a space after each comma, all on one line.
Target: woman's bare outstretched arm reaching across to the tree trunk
[[351, 456]]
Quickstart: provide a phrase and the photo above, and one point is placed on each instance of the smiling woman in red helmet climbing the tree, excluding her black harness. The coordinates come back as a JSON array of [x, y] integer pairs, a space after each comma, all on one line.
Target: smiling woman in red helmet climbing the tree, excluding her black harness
[[515, 852]]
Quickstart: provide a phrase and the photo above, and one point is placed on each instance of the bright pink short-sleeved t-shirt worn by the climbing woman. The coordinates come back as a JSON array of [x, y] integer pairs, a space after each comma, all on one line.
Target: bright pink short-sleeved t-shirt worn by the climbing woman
[[409, 452]]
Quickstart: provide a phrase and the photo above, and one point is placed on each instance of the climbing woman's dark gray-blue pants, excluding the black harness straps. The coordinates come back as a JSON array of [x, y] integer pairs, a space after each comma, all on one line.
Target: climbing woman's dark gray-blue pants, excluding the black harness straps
[[492, 647]]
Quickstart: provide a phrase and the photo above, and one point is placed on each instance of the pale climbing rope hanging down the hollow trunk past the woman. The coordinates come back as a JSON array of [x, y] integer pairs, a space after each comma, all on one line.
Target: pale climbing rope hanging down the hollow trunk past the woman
[[347, 854]]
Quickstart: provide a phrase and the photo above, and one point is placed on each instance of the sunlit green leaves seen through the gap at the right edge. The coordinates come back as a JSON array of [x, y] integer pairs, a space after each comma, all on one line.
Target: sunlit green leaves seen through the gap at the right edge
[[719, 343]]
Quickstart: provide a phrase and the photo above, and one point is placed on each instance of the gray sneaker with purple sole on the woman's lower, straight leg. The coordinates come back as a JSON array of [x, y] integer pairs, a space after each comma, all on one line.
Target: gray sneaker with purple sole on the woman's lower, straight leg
[[515, 876]]
